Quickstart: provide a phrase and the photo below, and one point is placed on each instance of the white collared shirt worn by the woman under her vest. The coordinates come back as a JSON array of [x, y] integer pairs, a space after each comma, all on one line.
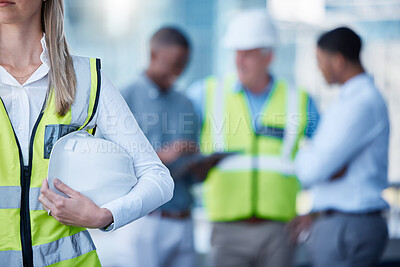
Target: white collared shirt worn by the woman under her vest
[[115, 122]]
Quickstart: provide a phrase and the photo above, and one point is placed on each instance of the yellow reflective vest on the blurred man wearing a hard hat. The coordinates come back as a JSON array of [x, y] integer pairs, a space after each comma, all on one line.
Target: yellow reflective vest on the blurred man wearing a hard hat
[[258, 180]]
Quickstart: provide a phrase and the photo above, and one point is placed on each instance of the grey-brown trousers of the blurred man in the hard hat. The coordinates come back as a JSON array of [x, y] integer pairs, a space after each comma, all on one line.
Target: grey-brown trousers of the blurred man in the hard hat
[[243, 244]]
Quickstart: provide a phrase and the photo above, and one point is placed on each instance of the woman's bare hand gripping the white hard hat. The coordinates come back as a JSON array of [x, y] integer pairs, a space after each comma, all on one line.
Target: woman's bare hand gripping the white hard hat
[[77, 210]]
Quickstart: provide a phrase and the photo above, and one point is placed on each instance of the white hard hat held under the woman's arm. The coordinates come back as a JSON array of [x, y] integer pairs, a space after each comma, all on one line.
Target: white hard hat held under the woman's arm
[[97, 168]]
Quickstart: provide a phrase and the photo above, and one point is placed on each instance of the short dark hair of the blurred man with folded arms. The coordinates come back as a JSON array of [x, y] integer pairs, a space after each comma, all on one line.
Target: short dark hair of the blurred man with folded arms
[[342, 40]]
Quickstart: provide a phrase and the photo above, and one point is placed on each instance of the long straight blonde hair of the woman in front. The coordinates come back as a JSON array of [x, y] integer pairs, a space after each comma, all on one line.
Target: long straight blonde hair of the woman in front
[[62, 74]]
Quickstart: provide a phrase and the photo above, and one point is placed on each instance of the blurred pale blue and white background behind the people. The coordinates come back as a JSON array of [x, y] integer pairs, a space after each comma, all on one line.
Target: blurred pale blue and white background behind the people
[[118, 32]]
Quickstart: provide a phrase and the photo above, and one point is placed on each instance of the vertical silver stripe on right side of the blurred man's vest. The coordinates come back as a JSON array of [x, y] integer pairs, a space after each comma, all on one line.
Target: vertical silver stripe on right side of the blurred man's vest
[[292, 123]]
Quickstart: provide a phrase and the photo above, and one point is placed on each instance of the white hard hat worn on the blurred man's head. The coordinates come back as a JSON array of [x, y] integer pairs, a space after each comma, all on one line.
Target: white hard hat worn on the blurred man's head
[[251, 29]]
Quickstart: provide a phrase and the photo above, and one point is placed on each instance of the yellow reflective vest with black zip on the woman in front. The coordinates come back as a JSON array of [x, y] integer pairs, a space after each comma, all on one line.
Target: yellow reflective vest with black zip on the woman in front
[[28, 236]]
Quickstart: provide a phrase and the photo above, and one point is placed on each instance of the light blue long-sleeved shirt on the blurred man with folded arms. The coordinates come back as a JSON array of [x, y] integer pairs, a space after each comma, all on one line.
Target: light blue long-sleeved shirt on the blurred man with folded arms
[[352, 133]]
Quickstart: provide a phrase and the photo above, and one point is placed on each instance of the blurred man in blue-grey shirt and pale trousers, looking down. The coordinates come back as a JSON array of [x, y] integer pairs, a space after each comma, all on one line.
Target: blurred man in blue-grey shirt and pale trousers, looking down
[[167, 118]]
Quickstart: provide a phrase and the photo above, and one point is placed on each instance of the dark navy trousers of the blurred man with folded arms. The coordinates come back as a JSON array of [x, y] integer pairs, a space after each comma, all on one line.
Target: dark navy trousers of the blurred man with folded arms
[[344, 240]]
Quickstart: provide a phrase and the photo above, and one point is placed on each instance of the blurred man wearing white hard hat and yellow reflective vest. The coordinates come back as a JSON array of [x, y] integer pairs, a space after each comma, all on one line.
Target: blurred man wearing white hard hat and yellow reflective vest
[[250, 196]]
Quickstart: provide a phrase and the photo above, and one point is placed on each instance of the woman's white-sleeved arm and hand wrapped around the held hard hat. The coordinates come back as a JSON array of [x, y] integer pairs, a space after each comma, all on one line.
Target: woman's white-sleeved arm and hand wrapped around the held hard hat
[[155, 186]]
